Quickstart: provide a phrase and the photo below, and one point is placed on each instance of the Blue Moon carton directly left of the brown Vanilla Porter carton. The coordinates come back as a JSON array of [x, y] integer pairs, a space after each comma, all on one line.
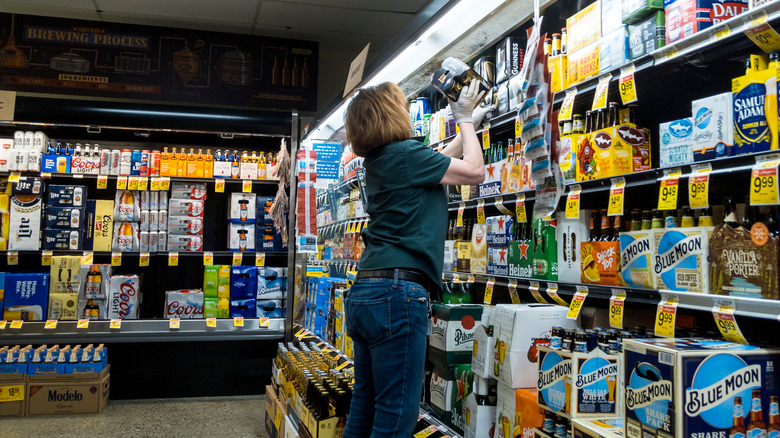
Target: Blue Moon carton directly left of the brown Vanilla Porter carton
[[681, 259]]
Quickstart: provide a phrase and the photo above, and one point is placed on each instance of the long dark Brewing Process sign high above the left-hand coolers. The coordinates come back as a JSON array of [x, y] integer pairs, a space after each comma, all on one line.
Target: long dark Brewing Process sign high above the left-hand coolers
[[123, 61]]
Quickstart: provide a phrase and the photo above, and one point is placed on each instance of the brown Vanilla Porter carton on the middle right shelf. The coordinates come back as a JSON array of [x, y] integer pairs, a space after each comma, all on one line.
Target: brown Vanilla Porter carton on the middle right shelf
[[742, 264]]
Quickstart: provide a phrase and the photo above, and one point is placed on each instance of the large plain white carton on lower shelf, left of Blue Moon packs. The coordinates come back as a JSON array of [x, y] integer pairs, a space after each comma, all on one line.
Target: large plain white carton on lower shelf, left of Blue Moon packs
[[519, 330]]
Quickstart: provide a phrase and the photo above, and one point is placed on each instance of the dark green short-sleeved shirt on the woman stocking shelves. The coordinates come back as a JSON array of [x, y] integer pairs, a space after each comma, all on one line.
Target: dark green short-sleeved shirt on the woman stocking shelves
[[407, 207]]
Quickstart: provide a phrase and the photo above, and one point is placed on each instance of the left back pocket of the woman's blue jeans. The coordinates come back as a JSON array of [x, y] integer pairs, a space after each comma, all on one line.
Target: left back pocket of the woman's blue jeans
[[368, 319]]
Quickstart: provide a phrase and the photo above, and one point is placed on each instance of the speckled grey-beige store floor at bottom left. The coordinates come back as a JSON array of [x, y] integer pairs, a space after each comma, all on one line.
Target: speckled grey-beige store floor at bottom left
[[188, 417]]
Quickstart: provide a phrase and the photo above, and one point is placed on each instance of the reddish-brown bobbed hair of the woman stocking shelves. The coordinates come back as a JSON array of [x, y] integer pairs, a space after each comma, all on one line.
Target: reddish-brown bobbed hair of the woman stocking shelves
[[377, 116]]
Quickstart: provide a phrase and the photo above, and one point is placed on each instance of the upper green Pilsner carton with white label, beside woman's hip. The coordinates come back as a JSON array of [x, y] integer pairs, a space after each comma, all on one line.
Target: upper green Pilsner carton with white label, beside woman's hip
[[452, 332]]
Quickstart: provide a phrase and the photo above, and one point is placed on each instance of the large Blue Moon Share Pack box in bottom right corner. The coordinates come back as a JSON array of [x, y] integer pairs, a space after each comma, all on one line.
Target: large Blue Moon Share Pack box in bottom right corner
[[694, 387]]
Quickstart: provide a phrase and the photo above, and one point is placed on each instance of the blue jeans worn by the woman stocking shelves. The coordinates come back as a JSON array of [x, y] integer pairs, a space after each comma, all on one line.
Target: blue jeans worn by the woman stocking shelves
[[388, 321]]
